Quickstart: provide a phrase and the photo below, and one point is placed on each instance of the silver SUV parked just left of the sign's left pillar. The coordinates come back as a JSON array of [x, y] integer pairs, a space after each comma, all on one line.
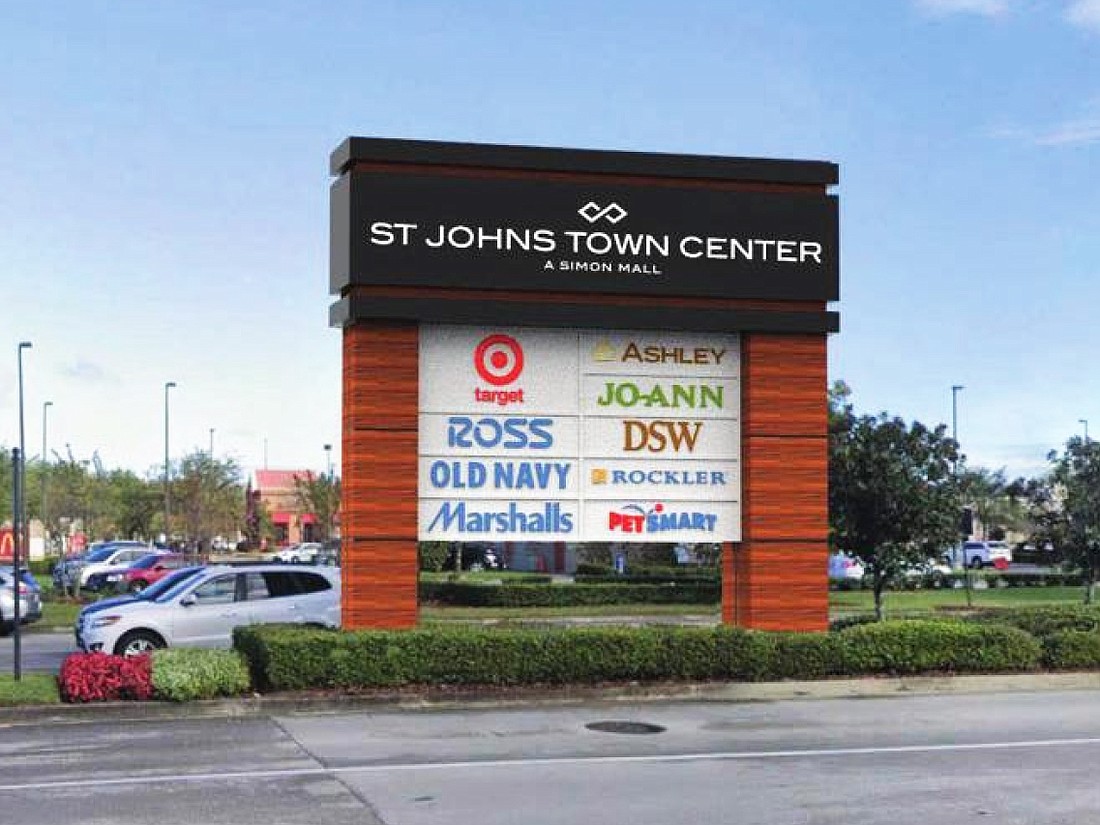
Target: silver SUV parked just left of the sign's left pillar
[[203, 609]]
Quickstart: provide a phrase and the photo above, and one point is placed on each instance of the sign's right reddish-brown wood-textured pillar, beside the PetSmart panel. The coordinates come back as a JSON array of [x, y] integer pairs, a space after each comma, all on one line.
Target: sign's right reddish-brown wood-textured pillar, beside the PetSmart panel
[[776, 579]]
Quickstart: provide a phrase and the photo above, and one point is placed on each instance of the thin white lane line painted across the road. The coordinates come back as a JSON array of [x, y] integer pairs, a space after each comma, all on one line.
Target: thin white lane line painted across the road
[[404, 767]]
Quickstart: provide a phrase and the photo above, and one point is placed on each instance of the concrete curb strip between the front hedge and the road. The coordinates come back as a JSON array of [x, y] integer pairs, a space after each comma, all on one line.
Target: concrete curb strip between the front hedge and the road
[[434, 699]]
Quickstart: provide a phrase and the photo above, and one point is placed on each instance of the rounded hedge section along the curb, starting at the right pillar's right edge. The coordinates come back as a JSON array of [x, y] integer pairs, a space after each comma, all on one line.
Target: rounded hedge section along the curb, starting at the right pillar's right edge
[[932, 646]]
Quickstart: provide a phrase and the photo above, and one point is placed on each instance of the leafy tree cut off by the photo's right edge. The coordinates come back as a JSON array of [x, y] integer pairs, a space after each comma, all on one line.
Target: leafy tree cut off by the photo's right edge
[[1071, 504]]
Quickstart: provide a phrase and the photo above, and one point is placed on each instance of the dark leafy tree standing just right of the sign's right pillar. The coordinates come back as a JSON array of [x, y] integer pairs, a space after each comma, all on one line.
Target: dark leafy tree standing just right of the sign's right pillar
[[894, 498]]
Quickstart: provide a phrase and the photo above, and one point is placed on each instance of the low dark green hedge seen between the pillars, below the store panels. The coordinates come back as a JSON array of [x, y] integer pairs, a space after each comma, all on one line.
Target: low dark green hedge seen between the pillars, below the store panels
[[567, 596]]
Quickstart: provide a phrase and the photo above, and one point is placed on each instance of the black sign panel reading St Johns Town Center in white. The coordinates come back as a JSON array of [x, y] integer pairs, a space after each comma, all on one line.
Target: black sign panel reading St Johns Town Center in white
[[392, 228]]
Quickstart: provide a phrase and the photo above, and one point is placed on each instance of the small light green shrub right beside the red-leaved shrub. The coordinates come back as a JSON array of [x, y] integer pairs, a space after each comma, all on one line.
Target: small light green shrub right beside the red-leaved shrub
[[181, 675]]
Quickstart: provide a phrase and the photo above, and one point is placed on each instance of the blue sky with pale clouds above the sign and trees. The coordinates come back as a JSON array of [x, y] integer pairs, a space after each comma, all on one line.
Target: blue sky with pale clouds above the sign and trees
[[164, 192]]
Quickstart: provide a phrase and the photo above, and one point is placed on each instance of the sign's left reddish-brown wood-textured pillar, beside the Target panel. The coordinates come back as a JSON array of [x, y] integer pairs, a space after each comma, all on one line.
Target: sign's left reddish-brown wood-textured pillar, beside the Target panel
[[379, 518]]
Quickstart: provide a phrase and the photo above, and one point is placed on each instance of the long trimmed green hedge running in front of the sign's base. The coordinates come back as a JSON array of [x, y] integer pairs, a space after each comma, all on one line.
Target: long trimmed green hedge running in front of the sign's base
[[295, 658]]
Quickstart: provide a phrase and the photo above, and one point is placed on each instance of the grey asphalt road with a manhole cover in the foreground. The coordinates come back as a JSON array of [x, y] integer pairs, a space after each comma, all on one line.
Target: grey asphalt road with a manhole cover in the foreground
[[1003, 758]]
